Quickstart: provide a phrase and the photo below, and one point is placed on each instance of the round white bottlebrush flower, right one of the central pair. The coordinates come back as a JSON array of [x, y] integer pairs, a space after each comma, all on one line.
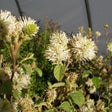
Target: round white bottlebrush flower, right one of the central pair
[[83, 48]]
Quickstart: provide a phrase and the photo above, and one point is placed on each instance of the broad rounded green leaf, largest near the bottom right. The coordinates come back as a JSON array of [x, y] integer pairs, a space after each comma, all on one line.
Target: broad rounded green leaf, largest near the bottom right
[[77, 97]]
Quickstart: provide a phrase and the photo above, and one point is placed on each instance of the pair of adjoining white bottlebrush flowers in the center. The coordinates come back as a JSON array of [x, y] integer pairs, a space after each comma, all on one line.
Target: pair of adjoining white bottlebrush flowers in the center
[[82, 48]]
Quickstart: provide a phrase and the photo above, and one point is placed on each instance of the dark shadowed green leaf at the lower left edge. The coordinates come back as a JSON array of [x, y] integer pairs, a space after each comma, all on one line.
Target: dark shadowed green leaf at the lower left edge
[[6, 87]]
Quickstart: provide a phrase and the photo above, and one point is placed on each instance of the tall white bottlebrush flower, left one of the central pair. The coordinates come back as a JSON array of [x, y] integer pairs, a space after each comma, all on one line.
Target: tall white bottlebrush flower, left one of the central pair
[[57, 50]]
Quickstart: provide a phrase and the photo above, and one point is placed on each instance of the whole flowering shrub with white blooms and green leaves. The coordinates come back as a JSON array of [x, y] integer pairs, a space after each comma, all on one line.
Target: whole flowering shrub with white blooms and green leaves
[[52, 71]]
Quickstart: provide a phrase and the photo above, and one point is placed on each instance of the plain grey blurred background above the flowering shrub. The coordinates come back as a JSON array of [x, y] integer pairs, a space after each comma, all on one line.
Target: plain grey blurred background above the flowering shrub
[[70, 14]]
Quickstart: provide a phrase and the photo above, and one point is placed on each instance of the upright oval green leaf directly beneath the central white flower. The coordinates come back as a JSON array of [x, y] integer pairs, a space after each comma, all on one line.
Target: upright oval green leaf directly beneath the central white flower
[[59, 71]]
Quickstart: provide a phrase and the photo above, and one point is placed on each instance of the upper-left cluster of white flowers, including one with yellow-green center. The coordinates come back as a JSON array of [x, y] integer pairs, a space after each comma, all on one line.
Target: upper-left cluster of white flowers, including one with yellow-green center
[[10, 27]]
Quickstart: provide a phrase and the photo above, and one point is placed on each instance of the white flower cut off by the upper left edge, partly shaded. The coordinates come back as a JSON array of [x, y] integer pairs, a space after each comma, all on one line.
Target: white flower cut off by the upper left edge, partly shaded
[[7, 25]]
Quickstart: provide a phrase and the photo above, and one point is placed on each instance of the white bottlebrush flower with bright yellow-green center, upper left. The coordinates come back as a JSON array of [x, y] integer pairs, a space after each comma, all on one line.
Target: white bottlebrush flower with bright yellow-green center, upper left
[[29, 28]]
